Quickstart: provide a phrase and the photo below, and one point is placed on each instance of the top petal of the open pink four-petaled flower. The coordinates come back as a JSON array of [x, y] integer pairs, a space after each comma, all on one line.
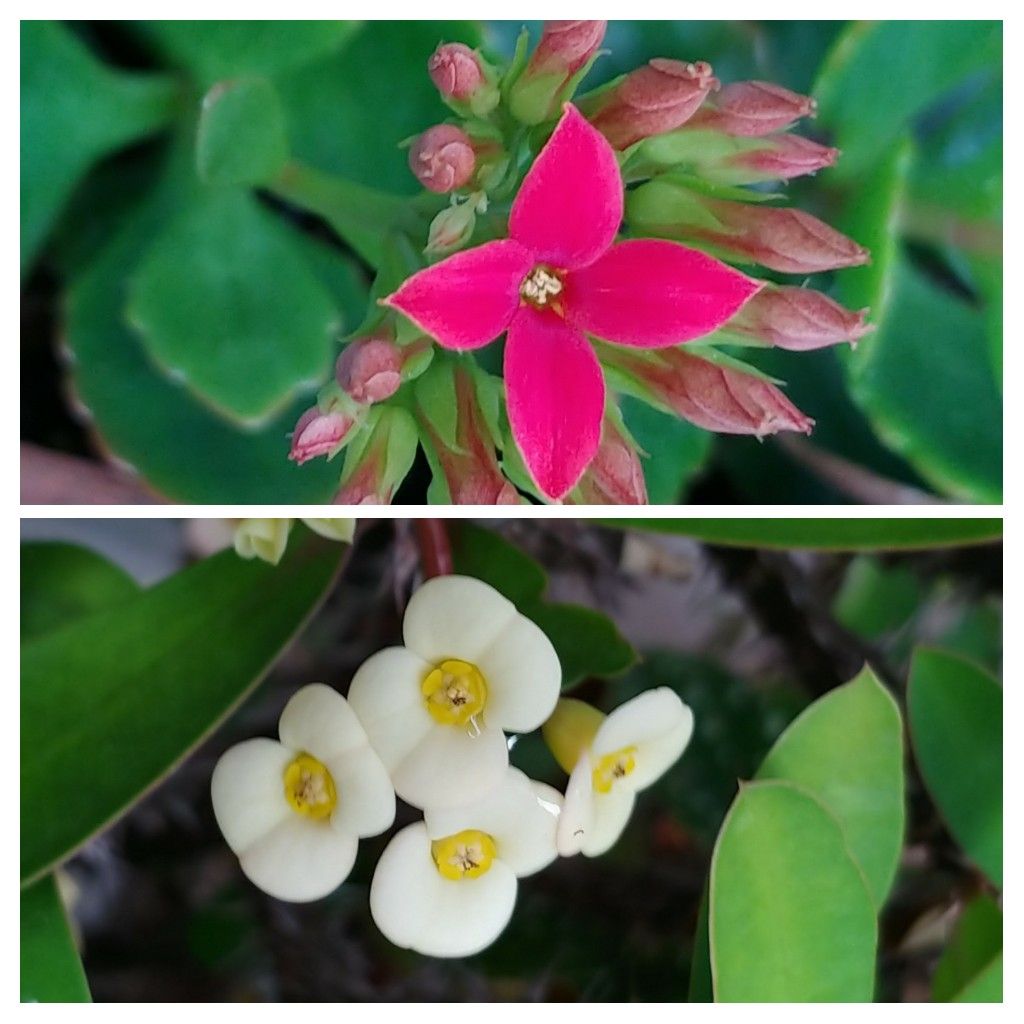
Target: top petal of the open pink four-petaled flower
[[571, 203]]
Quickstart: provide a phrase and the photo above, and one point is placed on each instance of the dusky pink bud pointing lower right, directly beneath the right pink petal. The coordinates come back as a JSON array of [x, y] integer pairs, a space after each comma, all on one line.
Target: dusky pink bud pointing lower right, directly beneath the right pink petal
[[712, 397]]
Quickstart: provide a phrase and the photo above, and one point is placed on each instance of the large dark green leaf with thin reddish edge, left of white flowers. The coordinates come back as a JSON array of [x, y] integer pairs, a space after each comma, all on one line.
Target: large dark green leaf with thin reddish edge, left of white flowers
[[116, 700]]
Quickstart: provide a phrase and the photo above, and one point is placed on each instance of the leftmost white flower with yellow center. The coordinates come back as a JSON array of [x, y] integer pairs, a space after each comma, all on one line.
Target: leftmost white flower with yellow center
[[294, 812]]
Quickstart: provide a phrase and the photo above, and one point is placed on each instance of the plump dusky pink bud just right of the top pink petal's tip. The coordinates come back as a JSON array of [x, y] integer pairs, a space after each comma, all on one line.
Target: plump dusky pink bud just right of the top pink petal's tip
[[654, 100]]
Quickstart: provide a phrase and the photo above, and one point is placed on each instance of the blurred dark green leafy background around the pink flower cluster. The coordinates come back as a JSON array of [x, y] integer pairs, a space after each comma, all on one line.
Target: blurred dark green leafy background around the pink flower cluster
[[179, 327]]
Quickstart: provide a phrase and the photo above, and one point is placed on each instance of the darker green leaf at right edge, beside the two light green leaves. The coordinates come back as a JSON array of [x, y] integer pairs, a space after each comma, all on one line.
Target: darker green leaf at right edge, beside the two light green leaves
[[956, 715]]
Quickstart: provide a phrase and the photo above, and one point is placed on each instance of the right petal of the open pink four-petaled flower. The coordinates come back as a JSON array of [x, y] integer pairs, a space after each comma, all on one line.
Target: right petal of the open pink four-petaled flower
[[652, 293]]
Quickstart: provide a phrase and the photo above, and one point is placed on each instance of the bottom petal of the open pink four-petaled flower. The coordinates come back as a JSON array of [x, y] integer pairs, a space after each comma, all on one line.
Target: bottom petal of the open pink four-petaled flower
[[556, 398]]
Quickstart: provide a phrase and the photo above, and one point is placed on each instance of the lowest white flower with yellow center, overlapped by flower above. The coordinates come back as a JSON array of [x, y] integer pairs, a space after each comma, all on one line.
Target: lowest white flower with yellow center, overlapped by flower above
[[447, 886]]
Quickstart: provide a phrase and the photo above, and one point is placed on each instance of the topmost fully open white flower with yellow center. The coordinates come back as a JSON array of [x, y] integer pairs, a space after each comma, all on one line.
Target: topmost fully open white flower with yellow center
[[435, 710]]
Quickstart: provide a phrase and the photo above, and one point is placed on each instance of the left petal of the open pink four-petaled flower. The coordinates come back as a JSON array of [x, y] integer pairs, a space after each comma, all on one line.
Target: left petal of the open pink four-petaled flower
[[470, 298]]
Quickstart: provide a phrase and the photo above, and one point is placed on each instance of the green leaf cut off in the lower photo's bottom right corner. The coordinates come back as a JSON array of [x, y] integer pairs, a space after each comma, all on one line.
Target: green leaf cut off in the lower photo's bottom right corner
[[970, 970]]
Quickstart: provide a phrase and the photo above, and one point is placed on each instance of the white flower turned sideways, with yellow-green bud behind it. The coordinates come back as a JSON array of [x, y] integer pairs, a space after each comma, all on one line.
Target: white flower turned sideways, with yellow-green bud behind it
[[610, 760]]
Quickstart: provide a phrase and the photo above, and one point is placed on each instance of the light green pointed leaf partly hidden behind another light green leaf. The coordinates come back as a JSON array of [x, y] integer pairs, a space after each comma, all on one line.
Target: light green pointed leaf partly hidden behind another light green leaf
[[847, 750]]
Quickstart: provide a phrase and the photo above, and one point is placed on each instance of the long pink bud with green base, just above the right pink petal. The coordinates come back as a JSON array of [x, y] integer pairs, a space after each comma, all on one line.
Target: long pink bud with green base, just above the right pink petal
[[780, 238]]
